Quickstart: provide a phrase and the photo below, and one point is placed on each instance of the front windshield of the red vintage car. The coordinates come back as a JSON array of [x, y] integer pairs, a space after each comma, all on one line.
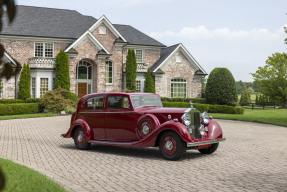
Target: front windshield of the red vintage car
[[146, 100]]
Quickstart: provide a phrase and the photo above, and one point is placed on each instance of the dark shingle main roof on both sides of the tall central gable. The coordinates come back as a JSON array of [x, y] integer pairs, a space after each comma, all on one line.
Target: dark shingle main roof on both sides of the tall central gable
[[62, 23]]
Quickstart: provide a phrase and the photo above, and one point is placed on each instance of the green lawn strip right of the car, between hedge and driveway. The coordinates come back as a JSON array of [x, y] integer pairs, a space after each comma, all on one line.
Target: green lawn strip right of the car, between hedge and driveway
[[268, 116]]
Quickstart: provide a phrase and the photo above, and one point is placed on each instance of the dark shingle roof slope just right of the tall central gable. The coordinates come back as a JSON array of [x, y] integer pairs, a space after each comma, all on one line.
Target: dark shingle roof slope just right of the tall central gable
[[135, 37]]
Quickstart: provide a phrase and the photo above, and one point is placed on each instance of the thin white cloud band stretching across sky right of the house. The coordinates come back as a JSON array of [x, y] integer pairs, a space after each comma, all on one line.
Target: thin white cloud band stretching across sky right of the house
[[201, 32]]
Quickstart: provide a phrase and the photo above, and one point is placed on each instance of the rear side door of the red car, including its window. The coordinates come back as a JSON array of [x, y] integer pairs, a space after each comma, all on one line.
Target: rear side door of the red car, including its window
[[95, 116]]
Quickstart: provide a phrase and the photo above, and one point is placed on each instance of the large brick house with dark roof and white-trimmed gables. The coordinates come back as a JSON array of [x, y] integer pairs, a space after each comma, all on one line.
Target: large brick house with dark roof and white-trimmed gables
[[97, 51]]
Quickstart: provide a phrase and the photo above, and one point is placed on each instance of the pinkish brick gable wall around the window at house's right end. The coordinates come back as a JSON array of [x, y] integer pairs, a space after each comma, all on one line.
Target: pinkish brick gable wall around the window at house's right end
[[185, 70]]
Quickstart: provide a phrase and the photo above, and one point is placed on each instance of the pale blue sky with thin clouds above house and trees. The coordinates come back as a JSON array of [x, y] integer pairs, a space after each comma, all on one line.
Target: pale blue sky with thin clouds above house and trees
[[239, 35]]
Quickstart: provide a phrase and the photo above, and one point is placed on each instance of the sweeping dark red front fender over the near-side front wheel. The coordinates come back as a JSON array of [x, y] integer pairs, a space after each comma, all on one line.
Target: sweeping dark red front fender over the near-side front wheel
[[151, 139]]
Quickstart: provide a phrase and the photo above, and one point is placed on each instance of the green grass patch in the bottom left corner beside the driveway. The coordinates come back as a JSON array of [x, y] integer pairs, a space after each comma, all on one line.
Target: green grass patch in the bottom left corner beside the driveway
[[21, 178]]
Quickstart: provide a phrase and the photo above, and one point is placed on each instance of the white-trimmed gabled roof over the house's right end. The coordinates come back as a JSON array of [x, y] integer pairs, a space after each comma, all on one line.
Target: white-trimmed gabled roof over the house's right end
[[167, 53]]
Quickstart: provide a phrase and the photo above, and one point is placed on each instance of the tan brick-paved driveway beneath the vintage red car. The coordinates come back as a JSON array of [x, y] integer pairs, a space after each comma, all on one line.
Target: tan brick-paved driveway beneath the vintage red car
[[253, 158]]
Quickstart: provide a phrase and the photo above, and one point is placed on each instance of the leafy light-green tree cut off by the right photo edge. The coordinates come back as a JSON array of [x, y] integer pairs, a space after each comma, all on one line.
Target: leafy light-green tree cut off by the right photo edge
[[272, 78]]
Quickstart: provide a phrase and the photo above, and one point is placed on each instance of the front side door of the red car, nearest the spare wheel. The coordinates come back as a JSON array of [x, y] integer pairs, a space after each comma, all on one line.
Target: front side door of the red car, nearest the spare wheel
[[120, 121]]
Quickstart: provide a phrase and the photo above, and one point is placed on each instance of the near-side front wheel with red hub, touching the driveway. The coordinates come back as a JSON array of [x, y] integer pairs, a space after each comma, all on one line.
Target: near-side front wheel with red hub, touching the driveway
[[171, 146]]
